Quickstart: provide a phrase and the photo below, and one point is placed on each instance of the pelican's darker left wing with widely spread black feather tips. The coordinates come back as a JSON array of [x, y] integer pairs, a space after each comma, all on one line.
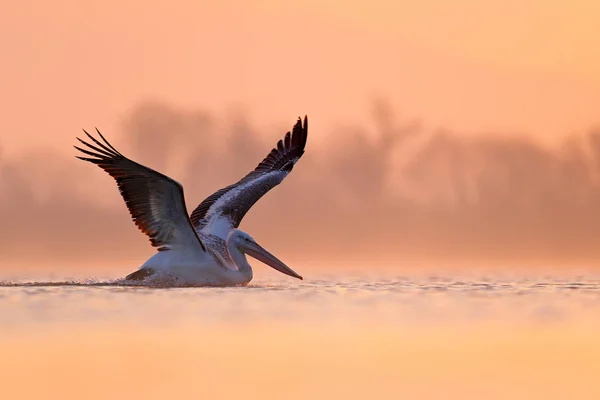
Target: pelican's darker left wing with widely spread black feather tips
[[154, 200]]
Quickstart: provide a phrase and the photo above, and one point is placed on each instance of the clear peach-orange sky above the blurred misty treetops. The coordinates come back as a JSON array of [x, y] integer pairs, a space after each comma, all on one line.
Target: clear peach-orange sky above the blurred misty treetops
[[507, 66]]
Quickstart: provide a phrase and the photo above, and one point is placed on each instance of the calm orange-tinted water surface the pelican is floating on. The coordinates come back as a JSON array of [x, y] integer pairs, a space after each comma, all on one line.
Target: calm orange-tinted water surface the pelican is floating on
[[352, 337]]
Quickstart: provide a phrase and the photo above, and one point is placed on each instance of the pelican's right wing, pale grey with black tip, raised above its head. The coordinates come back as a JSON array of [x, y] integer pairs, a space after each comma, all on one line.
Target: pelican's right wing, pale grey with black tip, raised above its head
[[224, 210]]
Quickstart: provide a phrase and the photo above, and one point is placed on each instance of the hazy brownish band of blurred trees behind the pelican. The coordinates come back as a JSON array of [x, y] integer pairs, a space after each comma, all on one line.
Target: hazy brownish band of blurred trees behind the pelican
[[390, 193]]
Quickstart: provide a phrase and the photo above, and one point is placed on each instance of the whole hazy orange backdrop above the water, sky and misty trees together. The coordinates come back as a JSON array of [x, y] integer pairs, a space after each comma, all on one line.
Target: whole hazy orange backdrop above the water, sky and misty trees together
[[161, 79]]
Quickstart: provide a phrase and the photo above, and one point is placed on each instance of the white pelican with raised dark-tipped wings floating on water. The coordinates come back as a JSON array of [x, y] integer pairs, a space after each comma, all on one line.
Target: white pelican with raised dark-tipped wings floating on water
[[205, 248]]
